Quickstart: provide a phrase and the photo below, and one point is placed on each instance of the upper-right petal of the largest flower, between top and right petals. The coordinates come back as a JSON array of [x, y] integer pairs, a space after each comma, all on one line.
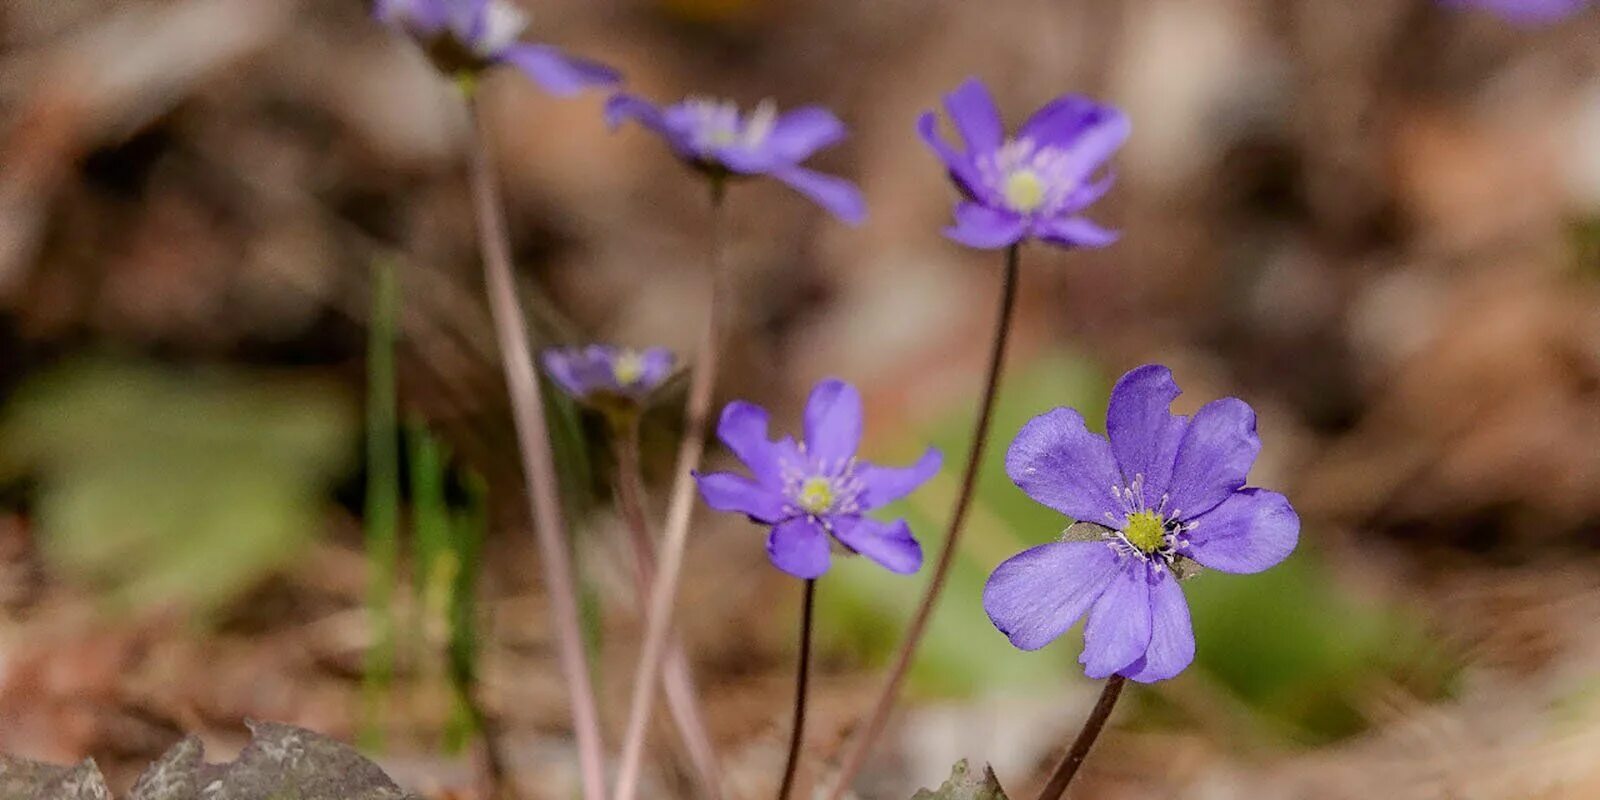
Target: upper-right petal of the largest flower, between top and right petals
[[1215, 457]]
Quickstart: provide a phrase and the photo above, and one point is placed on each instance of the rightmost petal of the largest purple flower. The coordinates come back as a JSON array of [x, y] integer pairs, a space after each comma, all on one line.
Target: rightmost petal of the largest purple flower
[[1247, 534]]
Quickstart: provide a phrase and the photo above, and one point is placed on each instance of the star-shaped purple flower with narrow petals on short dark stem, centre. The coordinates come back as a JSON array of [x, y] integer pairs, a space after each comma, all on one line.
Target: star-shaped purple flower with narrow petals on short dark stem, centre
[[815, 490]]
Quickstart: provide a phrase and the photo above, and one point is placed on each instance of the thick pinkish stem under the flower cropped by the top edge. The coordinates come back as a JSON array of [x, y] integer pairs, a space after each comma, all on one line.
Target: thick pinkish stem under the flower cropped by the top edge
[[534, 441]]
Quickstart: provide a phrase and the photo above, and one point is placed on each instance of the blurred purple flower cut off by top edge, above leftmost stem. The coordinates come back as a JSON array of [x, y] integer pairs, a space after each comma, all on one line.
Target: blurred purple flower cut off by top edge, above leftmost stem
[[466, 36]]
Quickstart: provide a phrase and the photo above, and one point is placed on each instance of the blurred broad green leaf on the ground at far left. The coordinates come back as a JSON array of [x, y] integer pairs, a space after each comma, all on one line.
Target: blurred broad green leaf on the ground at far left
[[175, 487]]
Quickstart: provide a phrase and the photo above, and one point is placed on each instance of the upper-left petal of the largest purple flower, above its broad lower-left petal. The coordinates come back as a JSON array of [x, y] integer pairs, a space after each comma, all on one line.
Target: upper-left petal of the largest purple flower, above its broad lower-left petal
[[1058, 463]]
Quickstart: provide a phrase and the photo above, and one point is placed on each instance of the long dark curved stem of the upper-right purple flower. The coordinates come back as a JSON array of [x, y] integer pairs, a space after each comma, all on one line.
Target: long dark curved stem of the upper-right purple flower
[[919, 623]]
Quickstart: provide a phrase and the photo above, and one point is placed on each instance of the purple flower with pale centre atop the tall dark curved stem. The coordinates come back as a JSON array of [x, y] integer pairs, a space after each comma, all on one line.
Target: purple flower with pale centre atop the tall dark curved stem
[[1034, 185]]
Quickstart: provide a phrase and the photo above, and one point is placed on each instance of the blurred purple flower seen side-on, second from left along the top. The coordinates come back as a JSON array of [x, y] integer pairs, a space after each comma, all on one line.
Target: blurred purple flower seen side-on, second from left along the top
[[721, 142]]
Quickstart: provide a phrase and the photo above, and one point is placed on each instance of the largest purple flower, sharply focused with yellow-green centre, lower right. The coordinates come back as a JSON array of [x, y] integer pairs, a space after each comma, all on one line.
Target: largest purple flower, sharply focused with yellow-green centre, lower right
[[1162, 490]]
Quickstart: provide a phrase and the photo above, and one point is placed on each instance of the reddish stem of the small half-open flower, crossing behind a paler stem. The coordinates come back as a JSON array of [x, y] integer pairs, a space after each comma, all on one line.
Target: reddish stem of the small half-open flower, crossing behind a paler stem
[[678, 681]]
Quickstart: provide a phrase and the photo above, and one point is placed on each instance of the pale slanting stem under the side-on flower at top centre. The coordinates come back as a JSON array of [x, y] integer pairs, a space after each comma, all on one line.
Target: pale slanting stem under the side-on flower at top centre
[[665, 590]]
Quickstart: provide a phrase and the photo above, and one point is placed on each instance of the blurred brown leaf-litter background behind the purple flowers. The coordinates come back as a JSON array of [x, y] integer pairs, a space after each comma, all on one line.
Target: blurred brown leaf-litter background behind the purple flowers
[[1378, 223]]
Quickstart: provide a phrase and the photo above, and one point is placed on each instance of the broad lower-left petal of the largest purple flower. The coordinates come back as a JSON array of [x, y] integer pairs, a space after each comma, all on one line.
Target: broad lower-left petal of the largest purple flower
[[1038, 594]]
